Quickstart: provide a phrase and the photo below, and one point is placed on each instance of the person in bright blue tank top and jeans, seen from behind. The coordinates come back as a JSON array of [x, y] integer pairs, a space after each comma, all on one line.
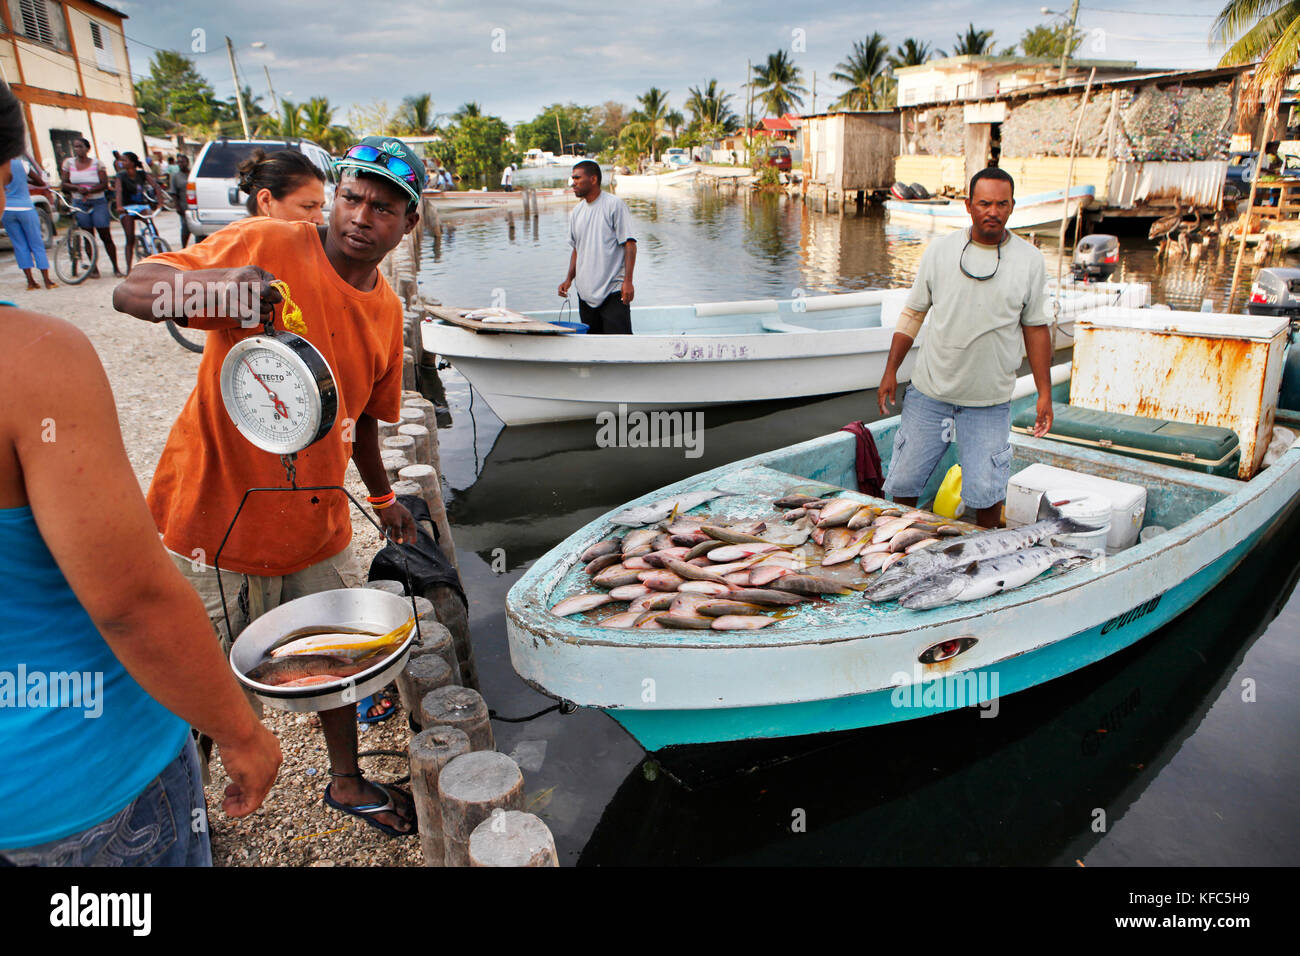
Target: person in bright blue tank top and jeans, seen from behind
[[114, 648]]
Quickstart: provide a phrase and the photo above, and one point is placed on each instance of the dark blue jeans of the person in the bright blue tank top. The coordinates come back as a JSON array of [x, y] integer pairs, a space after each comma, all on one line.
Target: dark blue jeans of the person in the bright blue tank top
[[166, 825]]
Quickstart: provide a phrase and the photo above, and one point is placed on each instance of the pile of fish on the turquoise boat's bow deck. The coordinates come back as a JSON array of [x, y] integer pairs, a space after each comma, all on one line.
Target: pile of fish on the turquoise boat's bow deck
[[684, 572]]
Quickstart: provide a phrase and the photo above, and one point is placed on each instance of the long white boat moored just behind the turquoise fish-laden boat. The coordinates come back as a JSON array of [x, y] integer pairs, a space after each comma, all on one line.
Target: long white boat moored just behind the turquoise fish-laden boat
[[718, 353]]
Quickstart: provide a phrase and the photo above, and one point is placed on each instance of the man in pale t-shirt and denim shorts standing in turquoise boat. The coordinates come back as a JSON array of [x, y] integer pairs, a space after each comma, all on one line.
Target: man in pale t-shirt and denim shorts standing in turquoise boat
[[985, 289]]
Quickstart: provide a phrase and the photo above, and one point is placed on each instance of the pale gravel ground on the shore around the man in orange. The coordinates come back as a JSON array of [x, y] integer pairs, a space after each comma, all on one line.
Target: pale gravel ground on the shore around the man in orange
[[151, 379]]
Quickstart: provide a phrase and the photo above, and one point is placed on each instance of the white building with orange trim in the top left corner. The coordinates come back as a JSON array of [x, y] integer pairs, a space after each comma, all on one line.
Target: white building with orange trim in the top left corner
[[67, 62]]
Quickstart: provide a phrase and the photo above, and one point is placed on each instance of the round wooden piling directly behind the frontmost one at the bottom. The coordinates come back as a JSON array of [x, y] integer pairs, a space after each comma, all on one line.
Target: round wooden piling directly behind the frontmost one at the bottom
[[470, 789]]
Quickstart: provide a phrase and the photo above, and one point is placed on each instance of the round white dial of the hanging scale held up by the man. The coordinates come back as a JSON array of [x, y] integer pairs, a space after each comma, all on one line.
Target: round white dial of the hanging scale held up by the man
[[280, 392]]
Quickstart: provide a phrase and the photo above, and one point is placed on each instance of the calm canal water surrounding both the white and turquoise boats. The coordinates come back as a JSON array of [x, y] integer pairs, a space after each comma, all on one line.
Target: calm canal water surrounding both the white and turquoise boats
[[1186, 773]]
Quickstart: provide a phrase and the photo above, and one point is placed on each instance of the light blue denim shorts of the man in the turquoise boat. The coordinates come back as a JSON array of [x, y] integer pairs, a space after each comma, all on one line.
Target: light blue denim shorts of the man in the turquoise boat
[[926, 431]]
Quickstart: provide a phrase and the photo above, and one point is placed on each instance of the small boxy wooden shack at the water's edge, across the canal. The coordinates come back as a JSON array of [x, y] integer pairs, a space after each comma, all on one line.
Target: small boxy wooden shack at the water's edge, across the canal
[[847, 153]]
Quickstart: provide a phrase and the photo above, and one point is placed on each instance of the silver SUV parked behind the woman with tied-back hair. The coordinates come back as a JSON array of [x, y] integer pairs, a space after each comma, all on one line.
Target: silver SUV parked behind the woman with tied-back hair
[[213, 193]]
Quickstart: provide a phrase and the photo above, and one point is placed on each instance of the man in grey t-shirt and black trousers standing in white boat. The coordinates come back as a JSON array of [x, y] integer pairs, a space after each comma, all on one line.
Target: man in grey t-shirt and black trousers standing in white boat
[[604, 257]]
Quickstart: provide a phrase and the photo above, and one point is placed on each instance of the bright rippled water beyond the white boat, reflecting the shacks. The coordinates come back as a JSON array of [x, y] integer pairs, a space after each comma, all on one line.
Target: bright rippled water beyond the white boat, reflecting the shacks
[[708, 245]]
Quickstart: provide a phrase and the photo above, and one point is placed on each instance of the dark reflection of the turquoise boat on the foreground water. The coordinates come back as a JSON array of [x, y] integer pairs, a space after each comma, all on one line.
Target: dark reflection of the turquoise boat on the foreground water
[[1022, 789]]
